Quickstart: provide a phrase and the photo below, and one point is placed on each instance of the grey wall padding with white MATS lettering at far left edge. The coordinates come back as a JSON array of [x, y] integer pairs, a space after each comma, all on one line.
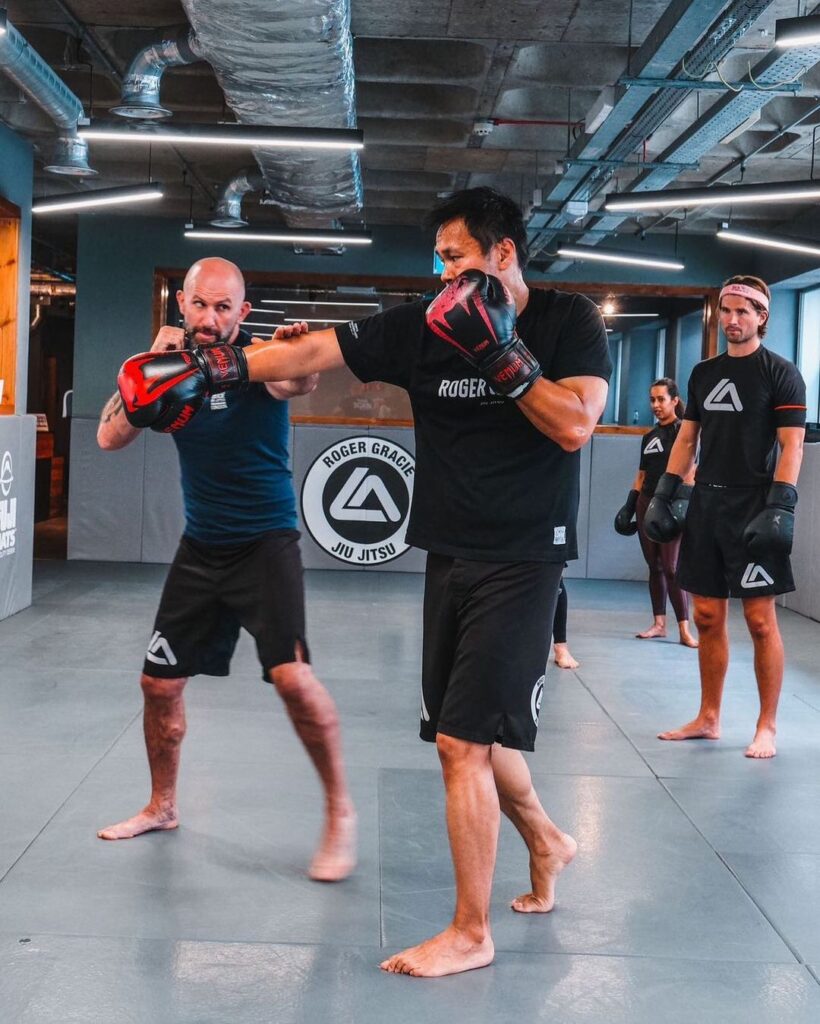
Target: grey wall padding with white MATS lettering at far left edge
[[18, 452]]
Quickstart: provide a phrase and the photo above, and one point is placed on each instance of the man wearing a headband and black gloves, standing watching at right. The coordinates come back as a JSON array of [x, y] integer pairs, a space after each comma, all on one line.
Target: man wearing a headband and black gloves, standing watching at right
[[748, 409]]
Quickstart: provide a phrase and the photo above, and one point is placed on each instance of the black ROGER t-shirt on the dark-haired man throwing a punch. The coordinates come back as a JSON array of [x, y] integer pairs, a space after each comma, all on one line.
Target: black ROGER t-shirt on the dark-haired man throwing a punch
[[489, 485]]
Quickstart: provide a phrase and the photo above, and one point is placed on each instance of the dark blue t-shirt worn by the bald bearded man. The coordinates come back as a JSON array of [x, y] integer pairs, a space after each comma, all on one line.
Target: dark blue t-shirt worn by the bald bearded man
[[234, 458]]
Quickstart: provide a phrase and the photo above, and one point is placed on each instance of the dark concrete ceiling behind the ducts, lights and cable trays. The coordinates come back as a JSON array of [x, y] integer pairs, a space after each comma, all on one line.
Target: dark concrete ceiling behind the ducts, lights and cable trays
[[426, 73]]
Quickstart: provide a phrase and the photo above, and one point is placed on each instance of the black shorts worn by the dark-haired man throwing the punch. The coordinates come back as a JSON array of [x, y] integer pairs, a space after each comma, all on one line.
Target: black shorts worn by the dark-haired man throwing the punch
[[486, 649]]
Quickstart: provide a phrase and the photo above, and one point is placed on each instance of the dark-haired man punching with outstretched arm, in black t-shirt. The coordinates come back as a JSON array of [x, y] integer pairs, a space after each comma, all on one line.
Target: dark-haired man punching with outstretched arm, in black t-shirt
[[500, 420]]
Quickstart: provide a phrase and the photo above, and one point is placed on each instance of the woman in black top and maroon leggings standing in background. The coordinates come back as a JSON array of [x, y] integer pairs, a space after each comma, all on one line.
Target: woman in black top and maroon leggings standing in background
[[662, 559]]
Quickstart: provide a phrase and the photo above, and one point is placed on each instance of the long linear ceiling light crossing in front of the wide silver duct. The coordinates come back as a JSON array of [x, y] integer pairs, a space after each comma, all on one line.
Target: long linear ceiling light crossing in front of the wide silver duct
[[224, 135]]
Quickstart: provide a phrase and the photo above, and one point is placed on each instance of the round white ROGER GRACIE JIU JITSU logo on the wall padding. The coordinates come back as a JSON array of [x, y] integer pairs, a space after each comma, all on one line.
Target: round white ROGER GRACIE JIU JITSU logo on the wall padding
[[356, 500]]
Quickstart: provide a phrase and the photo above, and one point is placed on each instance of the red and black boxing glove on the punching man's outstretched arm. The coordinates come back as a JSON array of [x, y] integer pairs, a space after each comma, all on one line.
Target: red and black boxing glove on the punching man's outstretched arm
[[164, 391]]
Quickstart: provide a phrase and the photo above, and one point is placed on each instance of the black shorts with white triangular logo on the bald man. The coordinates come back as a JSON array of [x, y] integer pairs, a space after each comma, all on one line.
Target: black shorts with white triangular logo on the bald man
[[211, 591]]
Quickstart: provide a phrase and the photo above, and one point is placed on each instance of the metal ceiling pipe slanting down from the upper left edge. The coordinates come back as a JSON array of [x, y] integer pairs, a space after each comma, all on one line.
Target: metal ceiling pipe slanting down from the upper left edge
[[33, 76]]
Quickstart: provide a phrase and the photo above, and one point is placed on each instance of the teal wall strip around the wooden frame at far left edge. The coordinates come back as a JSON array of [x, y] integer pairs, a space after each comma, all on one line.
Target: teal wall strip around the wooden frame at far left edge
[[17, 167]]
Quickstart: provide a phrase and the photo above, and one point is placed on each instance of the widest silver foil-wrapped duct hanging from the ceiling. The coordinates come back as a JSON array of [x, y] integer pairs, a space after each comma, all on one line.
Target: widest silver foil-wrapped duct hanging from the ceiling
[[289, 63]]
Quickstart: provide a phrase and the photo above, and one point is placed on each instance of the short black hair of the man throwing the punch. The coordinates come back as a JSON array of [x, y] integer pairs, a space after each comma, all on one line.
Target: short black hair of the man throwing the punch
[[490, 218]]
